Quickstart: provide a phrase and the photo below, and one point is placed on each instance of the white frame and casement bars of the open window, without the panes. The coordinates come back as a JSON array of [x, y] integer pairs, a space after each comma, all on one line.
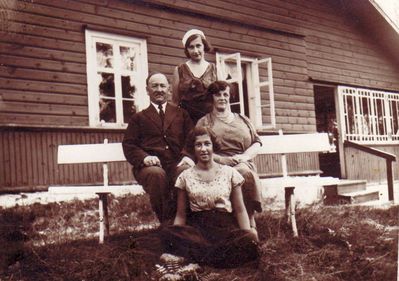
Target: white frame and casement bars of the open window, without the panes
[[254, 85]]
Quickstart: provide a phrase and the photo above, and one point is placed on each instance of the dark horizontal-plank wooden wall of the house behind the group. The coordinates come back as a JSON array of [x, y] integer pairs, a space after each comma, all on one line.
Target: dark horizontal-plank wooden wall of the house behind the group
[[43, 65]]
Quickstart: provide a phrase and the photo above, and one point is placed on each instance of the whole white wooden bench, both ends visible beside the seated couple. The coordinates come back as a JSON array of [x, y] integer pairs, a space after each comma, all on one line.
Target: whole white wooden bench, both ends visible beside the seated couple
[[113, 152]]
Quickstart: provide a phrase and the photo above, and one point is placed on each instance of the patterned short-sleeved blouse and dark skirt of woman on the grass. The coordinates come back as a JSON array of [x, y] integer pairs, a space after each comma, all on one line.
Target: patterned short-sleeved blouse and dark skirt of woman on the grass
[[211, 234]]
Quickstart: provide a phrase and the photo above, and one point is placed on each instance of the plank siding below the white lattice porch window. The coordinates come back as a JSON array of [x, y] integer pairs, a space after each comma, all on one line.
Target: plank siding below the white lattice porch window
[[361, 165]]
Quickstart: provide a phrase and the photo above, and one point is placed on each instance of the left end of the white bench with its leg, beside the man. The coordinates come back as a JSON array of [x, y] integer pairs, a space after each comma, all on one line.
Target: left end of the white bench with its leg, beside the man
[[95, 153]]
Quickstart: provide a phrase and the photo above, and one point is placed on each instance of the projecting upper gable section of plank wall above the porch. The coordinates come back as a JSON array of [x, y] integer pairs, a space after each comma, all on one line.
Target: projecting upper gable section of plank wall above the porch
[[338, 49]]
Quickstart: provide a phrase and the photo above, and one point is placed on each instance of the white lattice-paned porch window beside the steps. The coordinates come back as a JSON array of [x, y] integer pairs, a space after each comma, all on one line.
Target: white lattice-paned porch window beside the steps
[[369, 116]]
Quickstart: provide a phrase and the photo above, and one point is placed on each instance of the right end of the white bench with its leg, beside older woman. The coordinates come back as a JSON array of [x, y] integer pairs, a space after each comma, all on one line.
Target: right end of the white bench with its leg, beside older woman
[[296, 143]]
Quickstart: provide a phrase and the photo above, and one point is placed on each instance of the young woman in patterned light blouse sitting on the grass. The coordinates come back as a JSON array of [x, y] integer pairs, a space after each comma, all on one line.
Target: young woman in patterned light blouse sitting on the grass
[[211, 225]]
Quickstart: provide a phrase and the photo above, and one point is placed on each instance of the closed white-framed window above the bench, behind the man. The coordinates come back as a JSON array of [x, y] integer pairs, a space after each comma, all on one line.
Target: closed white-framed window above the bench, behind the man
[[116, 72]]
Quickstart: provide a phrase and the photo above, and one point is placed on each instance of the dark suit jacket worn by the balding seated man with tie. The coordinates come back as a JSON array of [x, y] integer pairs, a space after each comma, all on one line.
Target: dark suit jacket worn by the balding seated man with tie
[[146, 136]]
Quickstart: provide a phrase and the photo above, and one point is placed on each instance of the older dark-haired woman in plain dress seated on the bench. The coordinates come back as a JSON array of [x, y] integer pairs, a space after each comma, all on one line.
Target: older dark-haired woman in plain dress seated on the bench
[[239, 143]]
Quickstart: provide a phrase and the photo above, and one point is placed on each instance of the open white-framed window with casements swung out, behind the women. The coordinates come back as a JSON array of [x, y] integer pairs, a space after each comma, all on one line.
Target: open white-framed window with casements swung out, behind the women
[[252, 87]]
